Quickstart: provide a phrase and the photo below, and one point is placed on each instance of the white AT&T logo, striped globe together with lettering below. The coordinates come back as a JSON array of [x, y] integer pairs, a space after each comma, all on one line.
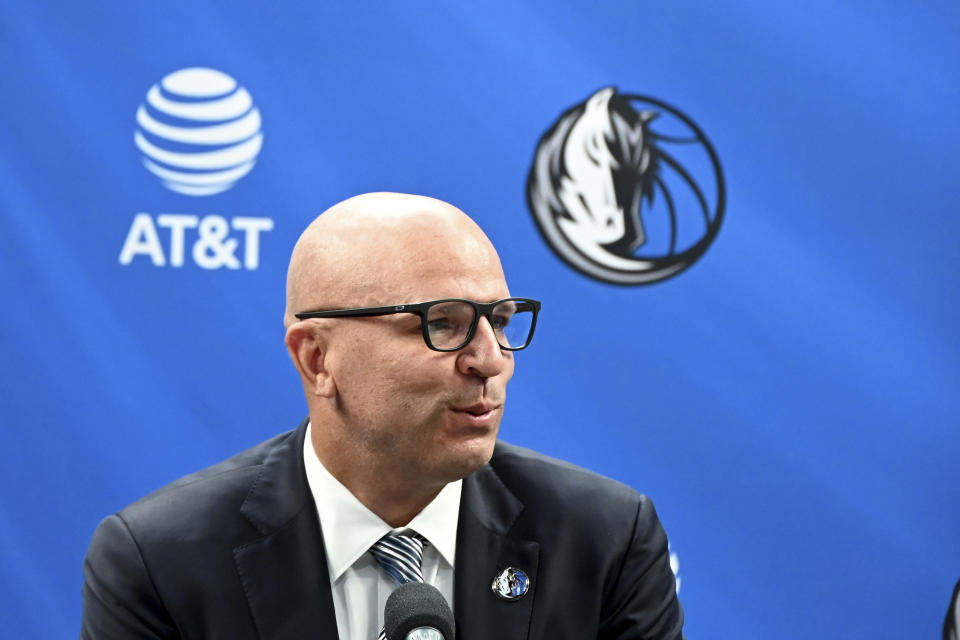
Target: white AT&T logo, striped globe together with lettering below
[[199, 133]]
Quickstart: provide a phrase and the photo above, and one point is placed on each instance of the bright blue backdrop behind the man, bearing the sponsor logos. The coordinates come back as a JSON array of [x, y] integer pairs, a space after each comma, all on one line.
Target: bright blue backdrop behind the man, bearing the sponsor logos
[[790, 401]]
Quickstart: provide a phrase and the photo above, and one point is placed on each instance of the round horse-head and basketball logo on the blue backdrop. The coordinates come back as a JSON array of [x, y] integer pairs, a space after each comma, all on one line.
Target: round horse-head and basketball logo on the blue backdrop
[[626, 189]]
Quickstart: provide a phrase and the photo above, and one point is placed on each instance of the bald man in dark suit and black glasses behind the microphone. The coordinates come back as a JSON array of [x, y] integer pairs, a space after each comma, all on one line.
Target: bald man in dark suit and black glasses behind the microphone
[[404, 401]]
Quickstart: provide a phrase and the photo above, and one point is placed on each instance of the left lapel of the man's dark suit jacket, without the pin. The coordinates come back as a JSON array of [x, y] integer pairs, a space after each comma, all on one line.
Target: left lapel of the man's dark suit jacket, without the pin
[[284, 573]]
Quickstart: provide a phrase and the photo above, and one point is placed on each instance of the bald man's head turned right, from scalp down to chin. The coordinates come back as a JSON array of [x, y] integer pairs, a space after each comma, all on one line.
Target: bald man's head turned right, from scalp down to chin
[[378, 396]]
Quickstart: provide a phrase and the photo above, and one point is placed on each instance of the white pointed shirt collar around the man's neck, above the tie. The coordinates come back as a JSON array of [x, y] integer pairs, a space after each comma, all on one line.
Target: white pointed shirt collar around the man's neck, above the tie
[[350, 529]]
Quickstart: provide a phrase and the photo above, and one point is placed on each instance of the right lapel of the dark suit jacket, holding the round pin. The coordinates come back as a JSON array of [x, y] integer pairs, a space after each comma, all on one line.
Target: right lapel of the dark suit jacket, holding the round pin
[[484, 548]]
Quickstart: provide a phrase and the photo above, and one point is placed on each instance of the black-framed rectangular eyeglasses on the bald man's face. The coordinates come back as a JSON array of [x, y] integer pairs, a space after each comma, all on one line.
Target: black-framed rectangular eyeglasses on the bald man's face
[[450, 324]]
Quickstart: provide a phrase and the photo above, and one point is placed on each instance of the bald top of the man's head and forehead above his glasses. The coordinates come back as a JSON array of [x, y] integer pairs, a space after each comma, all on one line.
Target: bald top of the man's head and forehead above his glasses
[[380, 249]]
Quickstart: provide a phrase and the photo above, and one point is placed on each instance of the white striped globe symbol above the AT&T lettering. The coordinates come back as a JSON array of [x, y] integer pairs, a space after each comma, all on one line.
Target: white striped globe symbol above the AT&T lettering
[[199, 131]]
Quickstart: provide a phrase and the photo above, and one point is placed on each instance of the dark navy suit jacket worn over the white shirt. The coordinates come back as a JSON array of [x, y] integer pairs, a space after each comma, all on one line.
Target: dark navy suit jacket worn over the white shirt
[[235, 552]]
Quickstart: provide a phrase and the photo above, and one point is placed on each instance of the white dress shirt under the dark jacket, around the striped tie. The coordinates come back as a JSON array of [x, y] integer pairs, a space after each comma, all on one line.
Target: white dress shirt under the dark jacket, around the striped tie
[[359, 586]]
